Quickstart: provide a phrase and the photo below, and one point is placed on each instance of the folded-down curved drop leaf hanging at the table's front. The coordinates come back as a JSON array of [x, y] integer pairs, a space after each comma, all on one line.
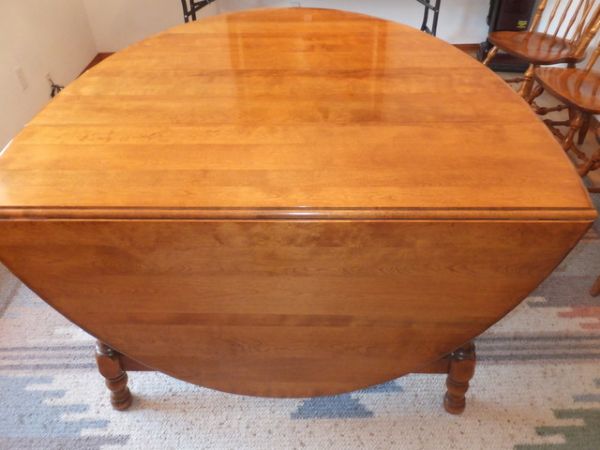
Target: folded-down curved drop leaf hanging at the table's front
[[285, 308]]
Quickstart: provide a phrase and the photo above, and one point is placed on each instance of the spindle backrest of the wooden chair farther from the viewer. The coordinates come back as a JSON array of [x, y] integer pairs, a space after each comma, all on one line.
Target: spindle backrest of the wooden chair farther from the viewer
[[577, 21]]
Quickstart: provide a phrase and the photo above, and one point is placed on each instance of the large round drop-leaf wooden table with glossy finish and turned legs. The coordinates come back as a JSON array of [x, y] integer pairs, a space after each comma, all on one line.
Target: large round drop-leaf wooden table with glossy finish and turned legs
[[288, 203]]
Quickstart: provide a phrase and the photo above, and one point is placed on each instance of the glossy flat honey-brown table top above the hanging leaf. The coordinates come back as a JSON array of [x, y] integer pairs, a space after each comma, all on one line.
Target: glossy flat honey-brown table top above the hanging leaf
[[288, 112]]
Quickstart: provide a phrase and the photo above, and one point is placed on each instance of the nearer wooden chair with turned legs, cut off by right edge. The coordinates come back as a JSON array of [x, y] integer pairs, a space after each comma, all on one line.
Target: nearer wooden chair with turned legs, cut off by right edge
[[579, 90]]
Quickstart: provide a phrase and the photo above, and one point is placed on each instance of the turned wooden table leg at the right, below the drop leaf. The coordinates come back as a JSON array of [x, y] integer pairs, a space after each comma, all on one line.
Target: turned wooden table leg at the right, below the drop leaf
[[461, 370]]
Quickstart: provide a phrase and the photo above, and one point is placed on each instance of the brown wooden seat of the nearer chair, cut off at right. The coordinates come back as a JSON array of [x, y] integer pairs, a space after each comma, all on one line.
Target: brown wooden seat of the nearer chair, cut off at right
[[572, 86]]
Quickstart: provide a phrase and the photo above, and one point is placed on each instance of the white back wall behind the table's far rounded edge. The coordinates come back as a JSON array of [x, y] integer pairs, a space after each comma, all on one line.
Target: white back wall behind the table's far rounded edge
[[118, 23]]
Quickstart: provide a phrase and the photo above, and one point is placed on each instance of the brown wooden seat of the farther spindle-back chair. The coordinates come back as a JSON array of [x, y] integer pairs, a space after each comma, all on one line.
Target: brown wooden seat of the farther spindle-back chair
[[536, 48]]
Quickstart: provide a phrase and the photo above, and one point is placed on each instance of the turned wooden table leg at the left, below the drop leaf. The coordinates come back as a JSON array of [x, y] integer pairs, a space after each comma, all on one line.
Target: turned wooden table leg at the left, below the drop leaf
[[109, 365]]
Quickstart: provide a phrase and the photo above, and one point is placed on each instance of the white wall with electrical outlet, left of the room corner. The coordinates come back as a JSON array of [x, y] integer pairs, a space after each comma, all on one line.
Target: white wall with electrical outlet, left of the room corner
[[40, 37]]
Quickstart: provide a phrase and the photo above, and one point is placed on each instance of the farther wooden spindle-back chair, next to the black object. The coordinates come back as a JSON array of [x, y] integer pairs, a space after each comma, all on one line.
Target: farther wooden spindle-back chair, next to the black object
[[569, 28]]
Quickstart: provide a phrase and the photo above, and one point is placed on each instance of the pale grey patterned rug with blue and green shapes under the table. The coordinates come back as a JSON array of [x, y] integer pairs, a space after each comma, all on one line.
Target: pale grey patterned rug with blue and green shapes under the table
[[537, 386]]
